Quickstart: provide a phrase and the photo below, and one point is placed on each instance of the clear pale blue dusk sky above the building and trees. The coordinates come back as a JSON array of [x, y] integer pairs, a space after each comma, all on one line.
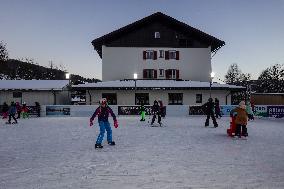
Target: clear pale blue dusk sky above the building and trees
[[62, 30]]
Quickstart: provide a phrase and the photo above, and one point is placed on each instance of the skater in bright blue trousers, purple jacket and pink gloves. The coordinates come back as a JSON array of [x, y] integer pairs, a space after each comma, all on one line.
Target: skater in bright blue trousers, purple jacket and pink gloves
[[103, 112]]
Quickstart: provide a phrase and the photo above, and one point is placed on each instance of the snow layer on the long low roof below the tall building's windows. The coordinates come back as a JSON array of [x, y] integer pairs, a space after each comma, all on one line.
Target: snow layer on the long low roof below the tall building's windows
[[155, 84]]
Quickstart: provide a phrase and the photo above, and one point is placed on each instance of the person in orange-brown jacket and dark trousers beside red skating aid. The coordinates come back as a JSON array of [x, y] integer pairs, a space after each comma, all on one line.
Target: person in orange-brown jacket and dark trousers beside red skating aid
[[241, 119]]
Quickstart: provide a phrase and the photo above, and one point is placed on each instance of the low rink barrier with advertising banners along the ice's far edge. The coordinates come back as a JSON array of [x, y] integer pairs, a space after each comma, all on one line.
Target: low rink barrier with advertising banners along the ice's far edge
[[171, 110]]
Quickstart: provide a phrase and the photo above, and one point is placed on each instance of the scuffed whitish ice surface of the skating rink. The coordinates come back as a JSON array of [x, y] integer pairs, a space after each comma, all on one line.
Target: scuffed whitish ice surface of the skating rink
[[55, 153]]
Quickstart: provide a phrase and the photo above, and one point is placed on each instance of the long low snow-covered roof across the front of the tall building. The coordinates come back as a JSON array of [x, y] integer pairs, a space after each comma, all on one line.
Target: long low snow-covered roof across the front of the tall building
[[156, 84]]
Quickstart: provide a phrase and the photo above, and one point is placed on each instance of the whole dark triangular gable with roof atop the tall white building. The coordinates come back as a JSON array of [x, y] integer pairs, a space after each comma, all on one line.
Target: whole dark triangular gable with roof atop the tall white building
[[173, 33]]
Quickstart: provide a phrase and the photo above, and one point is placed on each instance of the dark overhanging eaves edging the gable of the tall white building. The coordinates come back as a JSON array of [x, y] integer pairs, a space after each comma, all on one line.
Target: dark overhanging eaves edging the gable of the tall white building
[[160, 17]]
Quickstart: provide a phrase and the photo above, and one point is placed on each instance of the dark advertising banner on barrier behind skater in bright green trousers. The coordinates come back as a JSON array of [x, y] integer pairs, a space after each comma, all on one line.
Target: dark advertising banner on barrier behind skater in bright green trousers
[[135, 110]]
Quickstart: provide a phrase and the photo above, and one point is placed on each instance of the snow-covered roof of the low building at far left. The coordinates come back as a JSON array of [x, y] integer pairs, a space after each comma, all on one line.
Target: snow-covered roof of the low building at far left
[[33, 84]]
